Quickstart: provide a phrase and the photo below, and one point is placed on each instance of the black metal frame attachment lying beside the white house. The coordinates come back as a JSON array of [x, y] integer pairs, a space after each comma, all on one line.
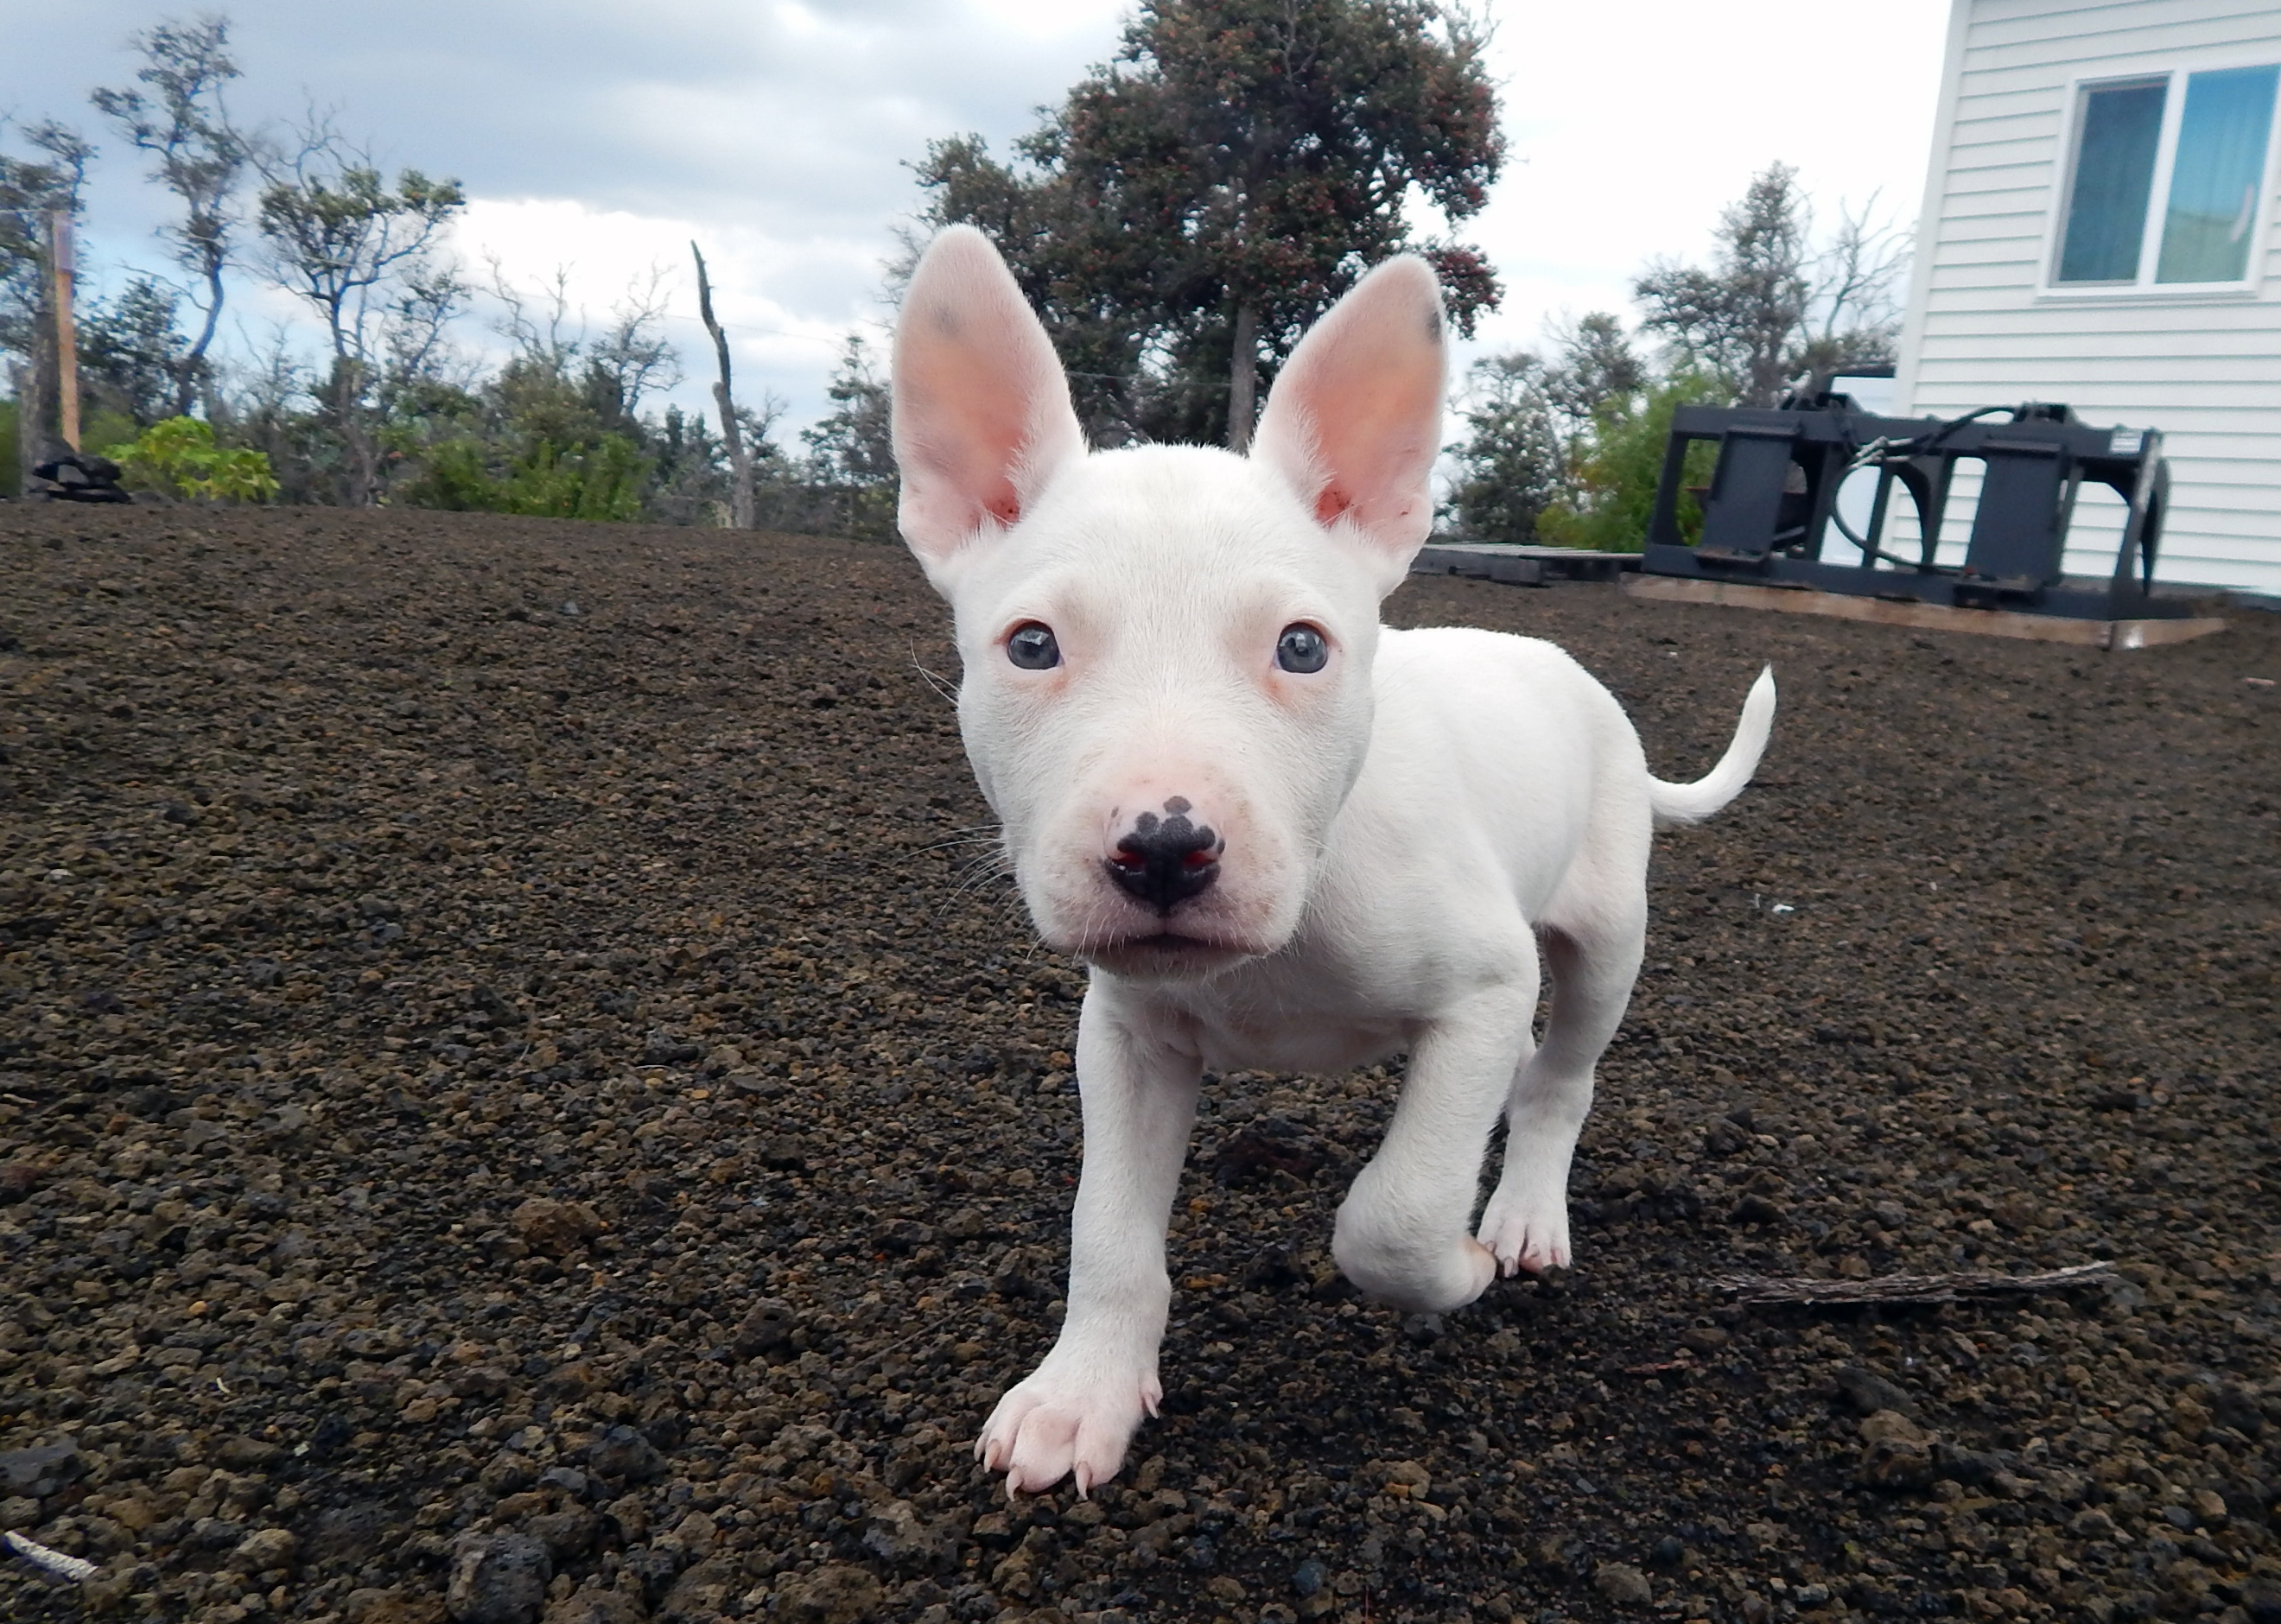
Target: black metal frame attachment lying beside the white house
[[1773, 505]]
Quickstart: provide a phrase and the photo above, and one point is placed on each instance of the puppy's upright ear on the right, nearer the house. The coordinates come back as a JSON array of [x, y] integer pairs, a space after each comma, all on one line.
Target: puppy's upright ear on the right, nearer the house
[[1356, 414]]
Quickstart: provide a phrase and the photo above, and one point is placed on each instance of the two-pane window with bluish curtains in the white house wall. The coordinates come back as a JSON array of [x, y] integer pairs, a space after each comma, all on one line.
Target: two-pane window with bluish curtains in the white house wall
[[2168, 179]]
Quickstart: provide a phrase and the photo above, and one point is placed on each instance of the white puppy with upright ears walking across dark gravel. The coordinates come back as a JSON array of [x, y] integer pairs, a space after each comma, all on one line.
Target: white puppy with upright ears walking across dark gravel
[[1283, 836]]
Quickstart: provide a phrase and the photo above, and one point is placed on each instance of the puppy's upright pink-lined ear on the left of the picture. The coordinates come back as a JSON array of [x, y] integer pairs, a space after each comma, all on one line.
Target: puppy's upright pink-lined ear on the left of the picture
[[982, 412]]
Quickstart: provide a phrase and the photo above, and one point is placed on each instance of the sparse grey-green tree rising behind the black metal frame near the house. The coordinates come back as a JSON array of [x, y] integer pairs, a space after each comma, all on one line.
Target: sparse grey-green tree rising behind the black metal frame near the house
[[1769, 309]]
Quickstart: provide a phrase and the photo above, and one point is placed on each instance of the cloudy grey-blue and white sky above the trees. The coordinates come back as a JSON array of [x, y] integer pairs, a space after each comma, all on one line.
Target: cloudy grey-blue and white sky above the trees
[[601, 138]]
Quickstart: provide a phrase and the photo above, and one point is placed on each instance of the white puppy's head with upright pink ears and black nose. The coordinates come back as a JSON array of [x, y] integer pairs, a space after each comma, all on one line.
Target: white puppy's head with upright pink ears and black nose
[[1167, 649]]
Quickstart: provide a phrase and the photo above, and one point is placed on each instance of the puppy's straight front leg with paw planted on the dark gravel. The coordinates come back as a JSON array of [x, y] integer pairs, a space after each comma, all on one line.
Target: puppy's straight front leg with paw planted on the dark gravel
[[1080, 1408]]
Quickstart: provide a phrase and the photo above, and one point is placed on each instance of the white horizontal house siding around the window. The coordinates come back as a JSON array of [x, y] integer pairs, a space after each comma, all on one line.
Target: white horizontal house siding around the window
[[1979, 334]]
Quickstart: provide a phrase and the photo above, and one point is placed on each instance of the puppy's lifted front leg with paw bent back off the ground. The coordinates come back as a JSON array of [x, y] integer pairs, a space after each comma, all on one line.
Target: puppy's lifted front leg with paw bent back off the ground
[[1402, 1231]]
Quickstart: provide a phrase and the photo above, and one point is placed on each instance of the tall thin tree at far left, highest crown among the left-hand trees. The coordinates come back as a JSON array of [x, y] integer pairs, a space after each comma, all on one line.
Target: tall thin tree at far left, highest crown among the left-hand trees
[[181, 122]]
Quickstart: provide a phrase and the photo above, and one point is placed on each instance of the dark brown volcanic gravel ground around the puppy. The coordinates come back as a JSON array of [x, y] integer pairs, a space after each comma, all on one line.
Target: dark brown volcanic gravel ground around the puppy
[[512, 1098]]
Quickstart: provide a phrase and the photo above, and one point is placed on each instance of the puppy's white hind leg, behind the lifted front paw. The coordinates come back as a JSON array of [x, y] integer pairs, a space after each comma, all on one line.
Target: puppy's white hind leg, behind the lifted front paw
[[1593, 971]]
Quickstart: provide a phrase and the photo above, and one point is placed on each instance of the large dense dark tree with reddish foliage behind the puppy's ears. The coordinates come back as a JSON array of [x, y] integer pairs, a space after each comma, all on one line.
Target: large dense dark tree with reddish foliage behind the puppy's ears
[[1203, 200]]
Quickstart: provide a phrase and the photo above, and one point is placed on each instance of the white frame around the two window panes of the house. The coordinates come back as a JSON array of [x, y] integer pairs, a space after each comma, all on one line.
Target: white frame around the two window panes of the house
[[2166, 161]]
